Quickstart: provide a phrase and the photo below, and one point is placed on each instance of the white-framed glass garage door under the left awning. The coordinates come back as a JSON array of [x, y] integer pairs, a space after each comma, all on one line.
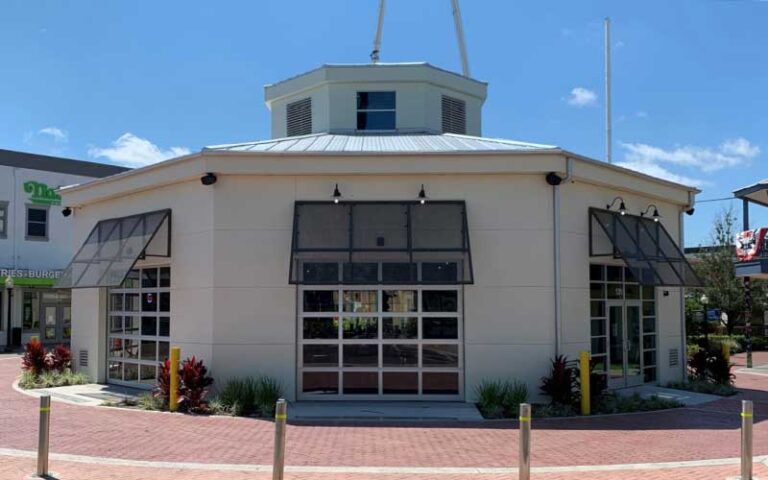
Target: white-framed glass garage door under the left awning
[[138, 326]]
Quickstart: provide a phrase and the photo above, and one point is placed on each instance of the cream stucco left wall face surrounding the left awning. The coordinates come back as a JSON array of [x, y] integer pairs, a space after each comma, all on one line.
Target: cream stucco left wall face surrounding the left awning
[[191, 270]]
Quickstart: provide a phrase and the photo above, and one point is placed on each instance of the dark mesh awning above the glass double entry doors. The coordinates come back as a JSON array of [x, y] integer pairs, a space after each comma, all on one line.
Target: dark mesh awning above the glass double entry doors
[[644, 245]]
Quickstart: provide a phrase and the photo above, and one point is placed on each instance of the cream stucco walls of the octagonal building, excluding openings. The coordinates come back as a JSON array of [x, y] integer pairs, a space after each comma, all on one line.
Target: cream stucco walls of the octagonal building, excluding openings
[[232, 304]]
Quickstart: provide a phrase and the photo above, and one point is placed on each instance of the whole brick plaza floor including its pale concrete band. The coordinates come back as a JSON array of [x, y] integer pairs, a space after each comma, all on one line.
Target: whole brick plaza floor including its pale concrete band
[[231, 445]]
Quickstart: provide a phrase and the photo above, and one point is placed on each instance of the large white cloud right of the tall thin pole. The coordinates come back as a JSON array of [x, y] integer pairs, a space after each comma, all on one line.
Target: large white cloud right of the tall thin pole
[[652, 160]]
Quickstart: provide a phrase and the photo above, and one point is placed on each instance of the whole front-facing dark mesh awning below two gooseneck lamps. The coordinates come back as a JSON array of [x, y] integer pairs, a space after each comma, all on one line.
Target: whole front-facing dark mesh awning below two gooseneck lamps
[[380, 242]]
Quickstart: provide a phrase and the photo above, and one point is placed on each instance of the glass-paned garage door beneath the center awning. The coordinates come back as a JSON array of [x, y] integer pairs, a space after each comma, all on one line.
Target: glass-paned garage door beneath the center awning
[[393, 343]]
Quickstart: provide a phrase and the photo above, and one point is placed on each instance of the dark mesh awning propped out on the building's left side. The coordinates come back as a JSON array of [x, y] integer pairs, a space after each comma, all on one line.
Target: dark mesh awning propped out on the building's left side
[[113, 247]]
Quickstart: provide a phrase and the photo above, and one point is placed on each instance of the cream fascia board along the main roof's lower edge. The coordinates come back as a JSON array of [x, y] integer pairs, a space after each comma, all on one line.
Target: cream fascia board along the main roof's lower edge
[[183, 169]]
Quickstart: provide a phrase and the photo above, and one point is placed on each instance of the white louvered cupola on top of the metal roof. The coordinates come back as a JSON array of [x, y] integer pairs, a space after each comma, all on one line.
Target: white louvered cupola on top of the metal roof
[[380, 98]]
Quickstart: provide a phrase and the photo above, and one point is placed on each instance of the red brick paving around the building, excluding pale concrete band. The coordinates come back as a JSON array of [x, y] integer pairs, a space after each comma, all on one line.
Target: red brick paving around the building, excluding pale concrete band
[[683, 434]]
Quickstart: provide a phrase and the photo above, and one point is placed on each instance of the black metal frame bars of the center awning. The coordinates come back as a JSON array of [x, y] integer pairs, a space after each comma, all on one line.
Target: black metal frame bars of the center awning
[[465, 249]]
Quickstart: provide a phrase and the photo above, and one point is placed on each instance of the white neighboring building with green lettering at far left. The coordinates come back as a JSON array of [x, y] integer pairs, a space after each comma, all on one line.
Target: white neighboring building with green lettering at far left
[[35, 243]]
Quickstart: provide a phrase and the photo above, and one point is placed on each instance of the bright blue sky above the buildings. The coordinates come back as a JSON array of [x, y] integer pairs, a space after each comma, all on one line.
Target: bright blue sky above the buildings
[[135, 82]]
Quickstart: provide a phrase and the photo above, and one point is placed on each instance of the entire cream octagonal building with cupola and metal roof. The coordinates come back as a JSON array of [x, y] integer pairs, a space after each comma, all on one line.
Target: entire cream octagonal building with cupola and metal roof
[[379, 248]]
